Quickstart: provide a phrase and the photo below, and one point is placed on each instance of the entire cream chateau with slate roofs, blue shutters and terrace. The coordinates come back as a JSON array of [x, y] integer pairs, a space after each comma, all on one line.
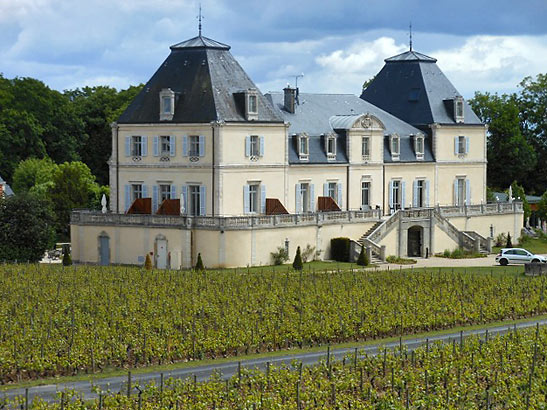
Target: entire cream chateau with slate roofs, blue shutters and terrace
[[203, 162]]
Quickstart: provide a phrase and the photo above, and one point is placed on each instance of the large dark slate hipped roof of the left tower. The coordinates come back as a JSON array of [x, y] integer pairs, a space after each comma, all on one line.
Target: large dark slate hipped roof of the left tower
[[205, 78]]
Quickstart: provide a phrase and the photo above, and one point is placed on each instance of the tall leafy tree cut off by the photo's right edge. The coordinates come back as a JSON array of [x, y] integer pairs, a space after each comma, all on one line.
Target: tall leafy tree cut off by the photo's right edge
[[532, 102]]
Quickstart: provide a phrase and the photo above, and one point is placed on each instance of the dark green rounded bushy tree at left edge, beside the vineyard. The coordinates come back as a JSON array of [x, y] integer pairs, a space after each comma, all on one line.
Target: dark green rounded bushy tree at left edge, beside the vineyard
[[26, 228]]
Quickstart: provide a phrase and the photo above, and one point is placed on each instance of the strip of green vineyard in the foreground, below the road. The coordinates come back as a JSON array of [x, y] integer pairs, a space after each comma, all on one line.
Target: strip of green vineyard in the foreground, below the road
[[505, 372]]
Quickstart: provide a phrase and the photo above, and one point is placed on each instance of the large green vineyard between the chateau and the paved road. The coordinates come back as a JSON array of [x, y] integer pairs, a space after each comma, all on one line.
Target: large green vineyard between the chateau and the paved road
[[56, 321]]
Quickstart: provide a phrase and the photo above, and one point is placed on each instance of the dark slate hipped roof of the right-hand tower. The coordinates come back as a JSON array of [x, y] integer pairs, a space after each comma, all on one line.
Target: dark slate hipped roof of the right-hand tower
[[413, 88]]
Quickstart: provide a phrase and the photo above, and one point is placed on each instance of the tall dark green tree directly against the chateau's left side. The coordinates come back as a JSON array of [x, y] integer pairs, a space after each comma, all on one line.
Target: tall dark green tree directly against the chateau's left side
[[98, 107]]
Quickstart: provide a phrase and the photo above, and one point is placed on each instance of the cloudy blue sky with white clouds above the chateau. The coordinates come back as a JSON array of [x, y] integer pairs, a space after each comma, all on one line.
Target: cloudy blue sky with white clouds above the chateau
[[486, 45]]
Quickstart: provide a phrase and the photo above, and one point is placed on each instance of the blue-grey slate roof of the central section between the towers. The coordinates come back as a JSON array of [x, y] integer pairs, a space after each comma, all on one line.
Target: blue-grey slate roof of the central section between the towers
[[321, 114]]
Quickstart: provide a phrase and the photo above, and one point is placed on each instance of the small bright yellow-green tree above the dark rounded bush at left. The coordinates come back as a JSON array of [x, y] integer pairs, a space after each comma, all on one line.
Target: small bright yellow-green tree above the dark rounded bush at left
[[32, 172]]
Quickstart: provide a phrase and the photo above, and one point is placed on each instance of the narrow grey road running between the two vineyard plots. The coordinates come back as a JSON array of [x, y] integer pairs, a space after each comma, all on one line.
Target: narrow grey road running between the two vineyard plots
[[228, 369]]
